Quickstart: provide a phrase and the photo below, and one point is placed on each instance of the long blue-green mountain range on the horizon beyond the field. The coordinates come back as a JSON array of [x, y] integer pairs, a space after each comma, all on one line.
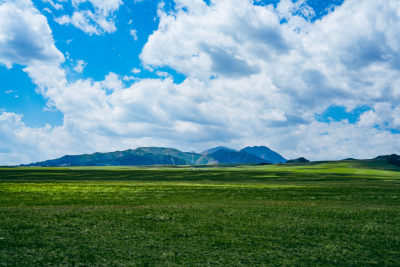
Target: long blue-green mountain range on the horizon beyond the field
[[169, 156]]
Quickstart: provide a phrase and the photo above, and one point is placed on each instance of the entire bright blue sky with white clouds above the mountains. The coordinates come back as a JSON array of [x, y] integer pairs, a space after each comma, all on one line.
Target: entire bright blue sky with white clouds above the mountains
[[312, 78]]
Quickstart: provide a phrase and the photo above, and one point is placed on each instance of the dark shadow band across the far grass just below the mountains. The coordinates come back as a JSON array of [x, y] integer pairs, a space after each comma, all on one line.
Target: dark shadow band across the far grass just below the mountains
[[243, 176]]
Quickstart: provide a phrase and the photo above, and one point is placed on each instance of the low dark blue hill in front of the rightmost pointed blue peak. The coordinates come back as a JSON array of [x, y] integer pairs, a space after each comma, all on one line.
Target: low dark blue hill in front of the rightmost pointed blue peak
[[225, 156]]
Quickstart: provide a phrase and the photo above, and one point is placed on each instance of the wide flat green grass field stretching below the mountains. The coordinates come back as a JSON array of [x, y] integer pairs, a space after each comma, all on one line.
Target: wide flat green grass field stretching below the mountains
[[331, 213]]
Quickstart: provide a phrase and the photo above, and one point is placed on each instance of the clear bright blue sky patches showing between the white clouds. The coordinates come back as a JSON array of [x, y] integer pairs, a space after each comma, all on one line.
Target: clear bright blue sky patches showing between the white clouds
[[117, 52]]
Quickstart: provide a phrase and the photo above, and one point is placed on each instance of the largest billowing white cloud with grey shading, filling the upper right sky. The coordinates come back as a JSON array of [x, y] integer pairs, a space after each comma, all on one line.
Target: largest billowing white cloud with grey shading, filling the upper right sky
[[329, 62]]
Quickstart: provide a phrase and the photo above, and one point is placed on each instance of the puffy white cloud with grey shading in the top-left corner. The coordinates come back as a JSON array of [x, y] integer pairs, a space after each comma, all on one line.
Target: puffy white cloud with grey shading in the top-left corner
[[26, 39]]
